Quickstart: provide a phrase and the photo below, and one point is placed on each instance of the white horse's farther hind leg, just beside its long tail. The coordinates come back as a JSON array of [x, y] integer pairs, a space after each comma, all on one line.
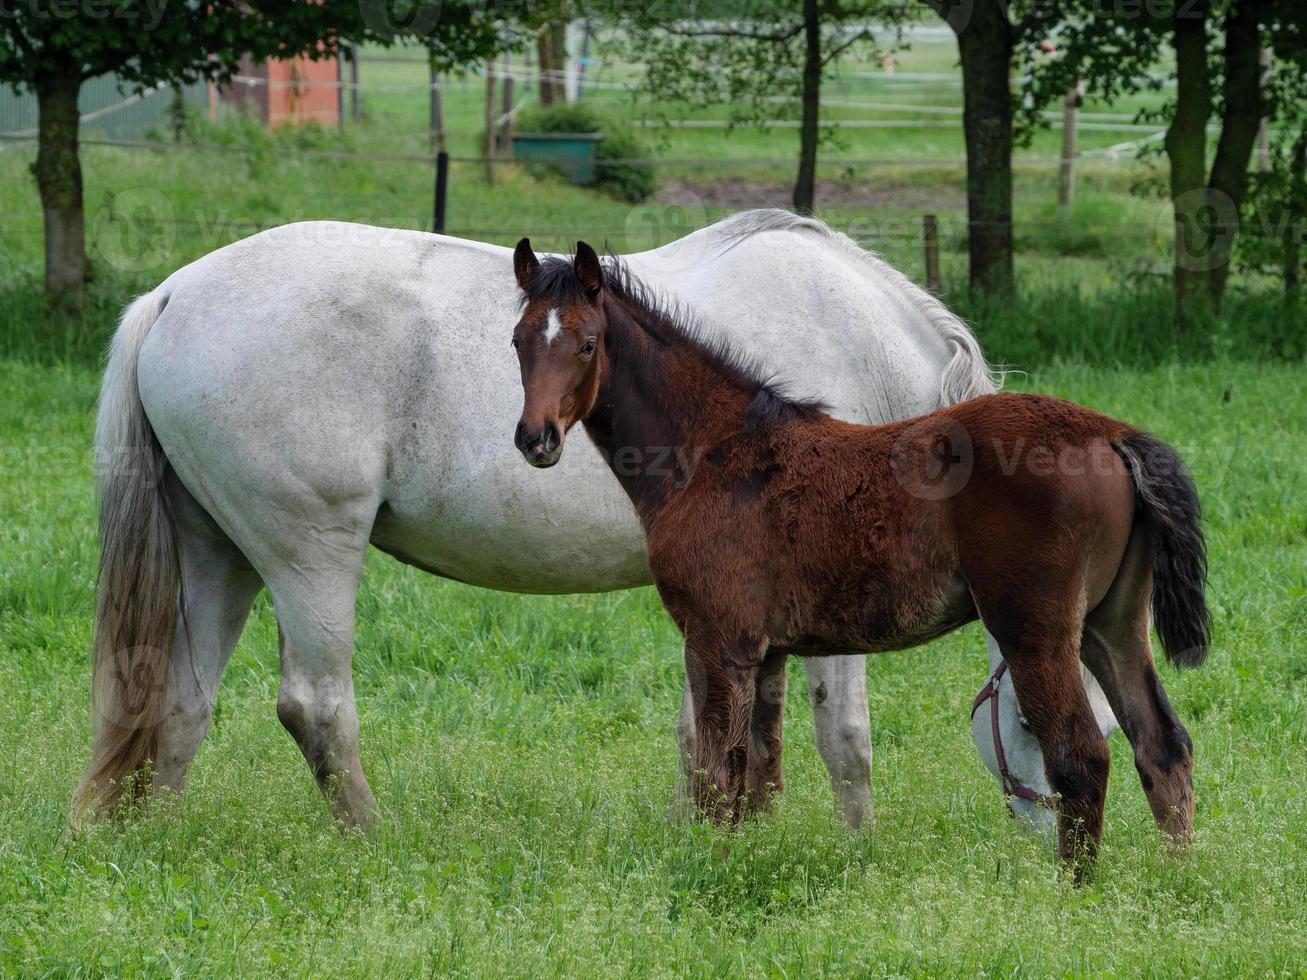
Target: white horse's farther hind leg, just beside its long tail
[[219, 587]]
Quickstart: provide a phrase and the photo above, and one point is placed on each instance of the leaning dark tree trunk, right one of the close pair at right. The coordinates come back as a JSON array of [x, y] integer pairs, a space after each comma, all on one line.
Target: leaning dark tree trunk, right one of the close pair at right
[[1240, 125]]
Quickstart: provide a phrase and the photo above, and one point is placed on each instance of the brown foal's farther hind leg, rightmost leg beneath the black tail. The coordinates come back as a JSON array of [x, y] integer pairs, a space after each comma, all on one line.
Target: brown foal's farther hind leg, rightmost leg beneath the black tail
[[1117, 650]]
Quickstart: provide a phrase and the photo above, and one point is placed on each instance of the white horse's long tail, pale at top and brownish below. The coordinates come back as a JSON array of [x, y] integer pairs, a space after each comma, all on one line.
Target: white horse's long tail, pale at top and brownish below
[[141, 578]]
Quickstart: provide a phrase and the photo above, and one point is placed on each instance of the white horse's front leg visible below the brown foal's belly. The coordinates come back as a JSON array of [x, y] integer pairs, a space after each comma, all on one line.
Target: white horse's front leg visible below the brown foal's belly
[[838, 689]]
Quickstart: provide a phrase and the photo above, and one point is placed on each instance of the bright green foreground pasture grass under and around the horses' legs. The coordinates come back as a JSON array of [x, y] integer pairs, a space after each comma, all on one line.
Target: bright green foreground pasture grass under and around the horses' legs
[[522, 749]]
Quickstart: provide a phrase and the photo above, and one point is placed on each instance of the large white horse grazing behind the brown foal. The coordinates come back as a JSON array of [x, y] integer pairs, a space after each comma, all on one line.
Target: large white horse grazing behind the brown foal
[[280, 404]]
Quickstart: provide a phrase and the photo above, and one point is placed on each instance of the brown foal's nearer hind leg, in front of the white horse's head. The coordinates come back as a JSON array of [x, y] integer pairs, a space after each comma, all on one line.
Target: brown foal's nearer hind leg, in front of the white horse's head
[[1045, 666]]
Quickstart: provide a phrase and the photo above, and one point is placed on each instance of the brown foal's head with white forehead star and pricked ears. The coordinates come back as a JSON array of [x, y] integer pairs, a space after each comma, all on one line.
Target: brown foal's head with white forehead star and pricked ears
[[560, 342]]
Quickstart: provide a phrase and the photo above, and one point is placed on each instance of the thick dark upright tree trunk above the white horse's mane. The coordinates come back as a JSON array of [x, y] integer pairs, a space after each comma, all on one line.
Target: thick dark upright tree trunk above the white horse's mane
[[986, 48]]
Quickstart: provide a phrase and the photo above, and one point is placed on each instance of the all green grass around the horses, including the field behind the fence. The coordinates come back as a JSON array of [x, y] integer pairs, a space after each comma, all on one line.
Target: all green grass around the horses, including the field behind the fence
[[523, 748]]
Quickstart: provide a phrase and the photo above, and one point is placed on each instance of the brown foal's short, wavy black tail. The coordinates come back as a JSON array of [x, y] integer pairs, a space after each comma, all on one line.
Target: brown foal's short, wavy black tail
[[1170, 505]]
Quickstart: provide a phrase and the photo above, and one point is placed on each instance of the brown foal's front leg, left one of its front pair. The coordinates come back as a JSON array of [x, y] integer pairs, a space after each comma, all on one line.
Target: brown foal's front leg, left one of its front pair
[[722, 675]]
